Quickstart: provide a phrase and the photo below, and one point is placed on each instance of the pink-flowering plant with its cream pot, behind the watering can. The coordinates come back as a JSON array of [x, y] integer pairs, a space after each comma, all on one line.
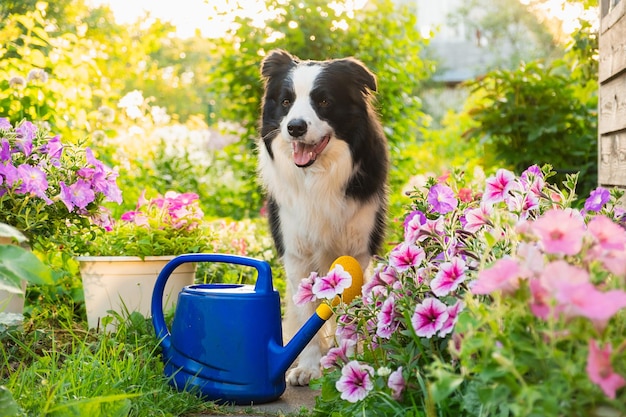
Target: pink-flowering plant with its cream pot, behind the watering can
[[119, 264]]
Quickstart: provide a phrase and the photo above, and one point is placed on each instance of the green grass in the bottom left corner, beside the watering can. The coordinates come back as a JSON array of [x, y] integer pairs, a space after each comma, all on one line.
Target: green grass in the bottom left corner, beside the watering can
[[53, 367]]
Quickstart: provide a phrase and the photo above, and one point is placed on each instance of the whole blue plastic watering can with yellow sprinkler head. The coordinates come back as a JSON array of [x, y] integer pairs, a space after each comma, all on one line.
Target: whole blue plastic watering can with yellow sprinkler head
[[226, 341]]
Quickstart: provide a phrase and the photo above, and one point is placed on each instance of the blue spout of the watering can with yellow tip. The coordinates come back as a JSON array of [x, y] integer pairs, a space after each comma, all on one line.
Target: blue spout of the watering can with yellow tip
[[281, 357]]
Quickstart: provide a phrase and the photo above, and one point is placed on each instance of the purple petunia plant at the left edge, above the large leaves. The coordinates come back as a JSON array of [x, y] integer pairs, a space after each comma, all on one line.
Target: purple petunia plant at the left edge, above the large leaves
[[46, 186]]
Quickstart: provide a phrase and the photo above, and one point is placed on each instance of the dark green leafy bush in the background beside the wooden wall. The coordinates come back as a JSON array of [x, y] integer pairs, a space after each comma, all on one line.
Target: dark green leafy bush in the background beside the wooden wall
[[532, 115]]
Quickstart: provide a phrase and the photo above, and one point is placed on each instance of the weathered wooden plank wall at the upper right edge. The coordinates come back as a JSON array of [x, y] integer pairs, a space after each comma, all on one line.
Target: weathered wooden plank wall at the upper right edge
[[612, 97]]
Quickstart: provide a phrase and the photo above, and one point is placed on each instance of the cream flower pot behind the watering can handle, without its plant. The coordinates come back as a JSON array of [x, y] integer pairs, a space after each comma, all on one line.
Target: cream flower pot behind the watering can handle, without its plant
[[125, 284]]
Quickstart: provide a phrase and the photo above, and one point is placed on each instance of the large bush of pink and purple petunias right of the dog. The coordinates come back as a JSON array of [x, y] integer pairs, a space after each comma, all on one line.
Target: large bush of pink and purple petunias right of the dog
[[505, 301]]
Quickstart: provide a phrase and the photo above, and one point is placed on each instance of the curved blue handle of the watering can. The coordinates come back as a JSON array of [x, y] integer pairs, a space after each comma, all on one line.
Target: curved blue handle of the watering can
[[263, 284]]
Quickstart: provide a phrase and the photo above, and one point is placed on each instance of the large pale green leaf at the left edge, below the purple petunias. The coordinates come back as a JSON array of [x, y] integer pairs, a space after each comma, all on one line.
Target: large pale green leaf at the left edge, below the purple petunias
[[18, 264]]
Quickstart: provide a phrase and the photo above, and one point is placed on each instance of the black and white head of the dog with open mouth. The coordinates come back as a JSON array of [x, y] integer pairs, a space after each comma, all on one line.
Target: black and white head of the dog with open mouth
[[311, 103]]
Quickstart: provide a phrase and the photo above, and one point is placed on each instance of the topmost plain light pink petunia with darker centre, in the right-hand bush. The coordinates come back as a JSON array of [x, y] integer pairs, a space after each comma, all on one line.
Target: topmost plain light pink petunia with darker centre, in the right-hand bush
[[560, 232]]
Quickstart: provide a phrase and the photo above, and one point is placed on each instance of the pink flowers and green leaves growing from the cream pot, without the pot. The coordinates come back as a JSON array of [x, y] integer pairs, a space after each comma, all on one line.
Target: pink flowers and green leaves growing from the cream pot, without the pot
[[171, 224]]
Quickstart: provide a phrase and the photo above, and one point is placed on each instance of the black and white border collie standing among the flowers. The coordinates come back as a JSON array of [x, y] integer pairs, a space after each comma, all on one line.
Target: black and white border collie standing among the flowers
[[323, 161]]
